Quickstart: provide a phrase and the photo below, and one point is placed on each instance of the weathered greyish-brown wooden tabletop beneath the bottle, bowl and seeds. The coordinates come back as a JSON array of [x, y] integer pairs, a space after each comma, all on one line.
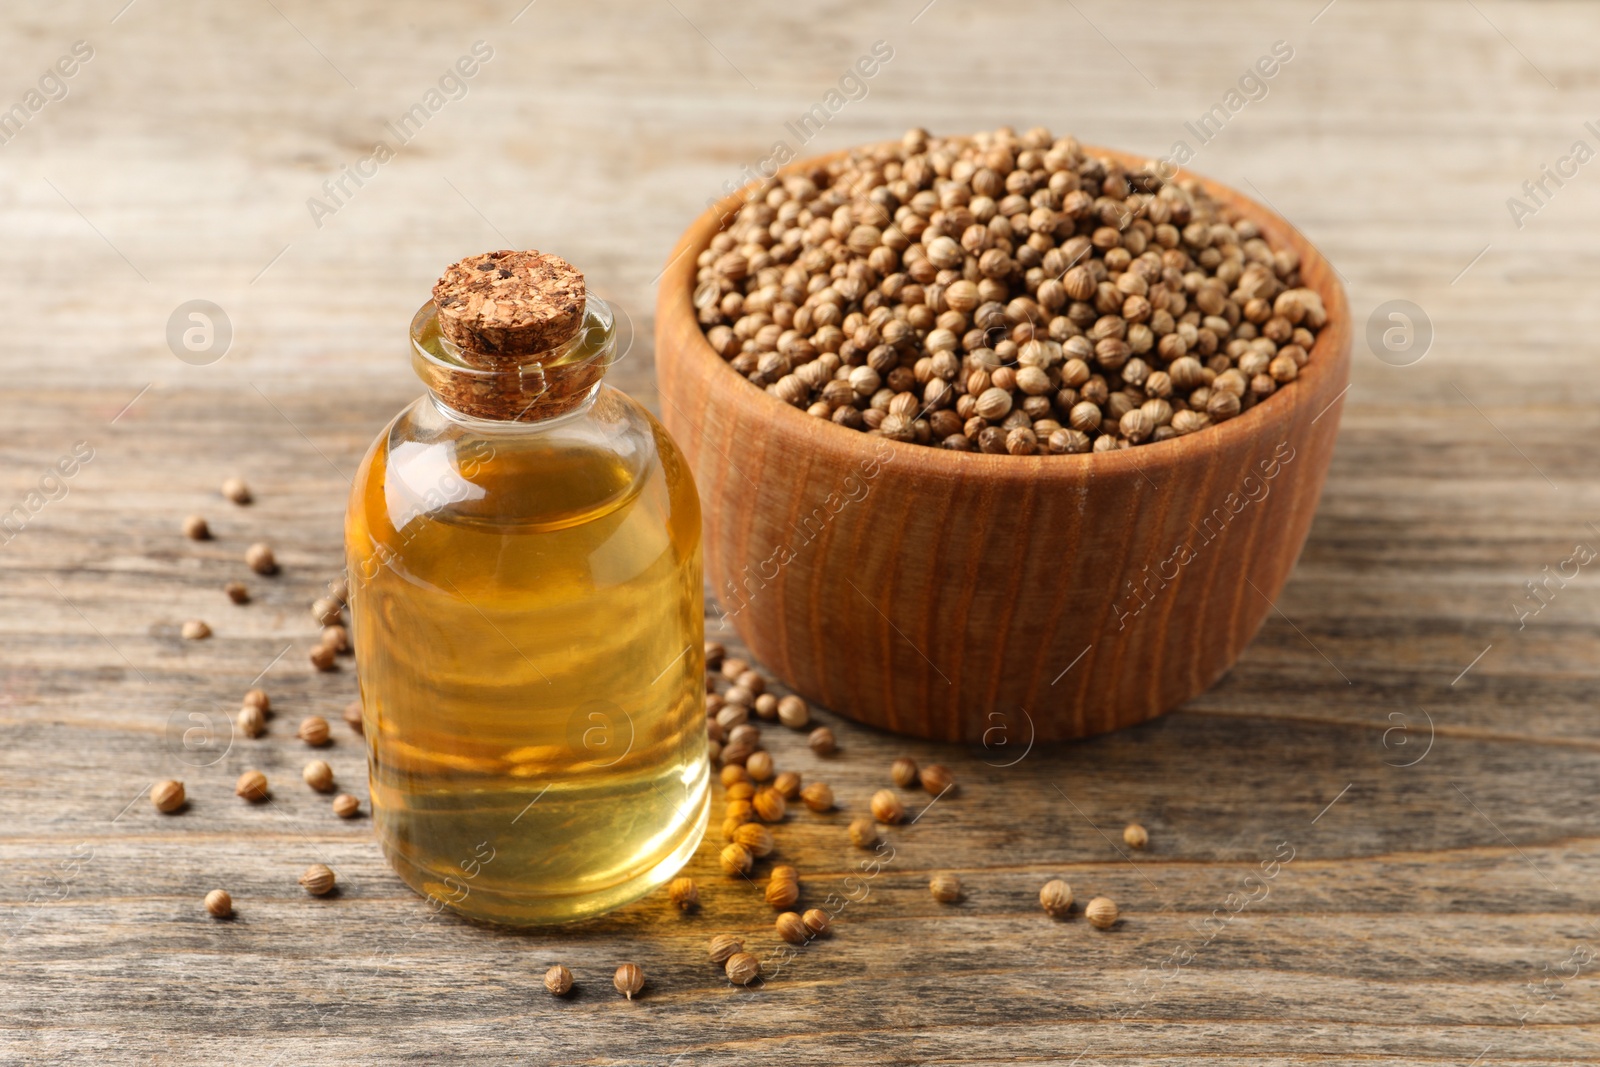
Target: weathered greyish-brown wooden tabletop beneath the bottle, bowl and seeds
[[1431, 765]]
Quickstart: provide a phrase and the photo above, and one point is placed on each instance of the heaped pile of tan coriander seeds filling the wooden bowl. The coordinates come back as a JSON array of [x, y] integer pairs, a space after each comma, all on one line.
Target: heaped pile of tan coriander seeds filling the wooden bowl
[[1004, 294]]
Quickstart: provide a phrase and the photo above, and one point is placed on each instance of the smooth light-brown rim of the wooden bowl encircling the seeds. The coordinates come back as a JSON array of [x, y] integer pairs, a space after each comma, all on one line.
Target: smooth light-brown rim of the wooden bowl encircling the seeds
[[1329, 354]]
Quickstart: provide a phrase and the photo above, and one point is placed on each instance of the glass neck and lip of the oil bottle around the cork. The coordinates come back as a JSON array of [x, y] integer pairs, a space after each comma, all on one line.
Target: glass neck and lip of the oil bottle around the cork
[[519, 391]]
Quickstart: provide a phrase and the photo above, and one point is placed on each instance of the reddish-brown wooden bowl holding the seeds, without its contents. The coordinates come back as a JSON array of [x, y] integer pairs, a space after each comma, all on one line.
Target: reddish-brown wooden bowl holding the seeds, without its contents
[[996, 599]]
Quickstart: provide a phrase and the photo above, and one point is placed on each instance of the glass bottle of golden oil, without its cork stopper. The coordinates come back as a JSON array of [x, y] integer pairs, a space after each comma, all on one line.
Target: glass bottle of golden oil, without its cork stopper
[[524, 549]]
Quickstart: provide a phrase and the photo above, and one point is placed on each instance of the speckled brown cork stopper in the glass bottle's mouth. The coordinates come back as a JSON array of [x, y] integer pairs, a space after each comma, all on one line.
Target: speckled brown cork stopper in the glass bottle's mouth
[[505, 306]]
